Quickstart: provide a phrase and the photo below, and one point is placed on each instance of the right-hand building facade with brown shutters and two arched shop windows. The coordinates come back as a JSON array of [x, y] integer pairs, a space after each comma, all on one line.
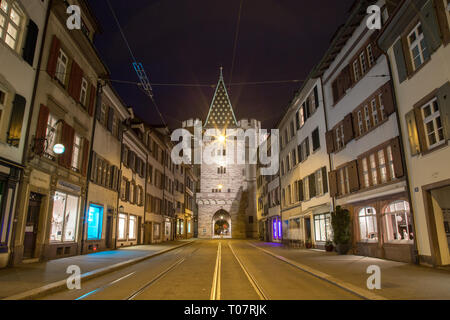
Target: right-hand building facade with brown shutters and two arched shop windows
[[368, 175]]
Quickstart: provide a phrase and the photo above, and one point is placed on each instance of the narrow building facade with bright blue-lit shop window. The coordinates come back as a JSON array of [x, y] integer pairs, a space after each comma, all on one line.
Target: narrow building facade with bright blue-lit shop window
[[101, 209]]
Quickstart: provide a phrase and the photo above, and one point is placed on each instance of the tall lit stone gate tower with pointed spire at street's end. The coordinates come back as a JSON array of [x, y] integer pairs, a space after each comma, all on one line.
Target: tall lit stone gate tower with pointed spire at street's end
[[227, 195]]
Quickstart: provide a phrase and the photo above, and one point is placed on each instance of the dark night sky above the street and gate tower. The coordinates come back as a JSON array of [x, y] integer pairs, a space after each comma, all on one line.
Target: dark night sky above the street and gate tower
[[186, 41]]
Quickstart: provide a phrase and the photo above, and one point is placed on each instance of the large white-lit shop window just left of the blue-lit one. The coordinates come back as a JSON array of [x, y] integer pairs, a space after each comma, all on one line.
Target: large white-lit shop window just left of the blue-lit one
[[64, 218]]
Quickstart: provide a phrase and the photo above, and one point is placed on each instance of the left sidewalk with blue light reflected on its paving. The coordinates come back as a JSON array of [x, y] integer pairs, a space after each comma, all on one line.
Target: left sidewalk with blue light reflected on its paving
[[32, 276]]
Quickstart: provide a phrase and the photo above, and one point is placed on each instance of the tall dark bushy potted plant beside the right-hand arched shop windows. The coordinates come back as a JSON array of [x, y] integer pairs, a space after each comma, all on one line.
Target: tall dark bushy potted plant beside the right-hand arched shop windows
[[341, 224]]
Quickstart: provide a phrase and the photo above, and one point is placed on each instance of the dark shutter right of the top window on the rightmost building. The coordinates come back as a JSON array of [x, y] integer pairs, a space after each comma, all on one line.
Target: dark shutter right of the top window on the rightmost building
[[430, 26]]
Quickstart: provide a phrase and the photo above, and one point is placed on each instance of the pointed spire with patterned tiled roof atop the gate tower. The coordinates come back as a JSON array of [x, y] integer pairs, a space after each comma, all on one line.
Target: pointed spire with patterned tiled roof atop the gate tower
[[221, 114]]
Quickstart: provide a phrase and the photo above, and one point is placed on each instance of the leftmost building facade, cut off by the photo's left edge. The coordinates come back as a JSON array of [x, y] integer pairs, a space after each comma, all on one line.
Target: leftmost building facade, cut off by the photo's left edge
[[21, 31]]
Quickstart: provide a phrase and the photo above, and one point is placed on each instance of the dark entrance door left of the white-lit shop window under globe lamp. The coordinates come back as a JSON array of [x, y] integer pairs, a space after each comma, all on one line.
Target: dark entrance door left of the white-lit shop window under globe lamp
[[31, 227]]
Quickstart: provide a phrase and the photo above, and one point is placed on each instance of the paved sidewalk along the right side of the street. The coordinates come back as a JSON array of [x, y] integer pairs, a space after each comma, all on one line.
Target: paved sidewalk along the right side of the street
[[398, 280]]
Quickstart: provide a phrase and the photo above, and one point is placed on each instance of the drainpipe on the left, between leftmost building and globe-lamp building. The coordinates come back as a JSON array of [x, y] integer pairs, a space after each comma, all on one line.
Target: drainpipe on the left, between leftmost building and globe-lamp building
[[27, 134]]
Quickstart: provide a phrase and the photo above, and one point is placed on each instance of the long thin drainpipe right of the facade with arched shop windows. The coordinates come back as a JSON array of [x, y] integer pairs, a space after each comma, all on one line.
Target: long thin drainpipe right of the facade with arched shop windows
[[405, 168]]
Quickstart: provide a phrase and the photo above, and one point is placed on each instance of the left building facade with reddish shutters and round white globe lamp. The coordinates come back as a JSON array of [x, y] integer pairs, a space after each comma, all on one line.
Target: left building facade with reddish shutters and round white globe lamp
[[53, 188]]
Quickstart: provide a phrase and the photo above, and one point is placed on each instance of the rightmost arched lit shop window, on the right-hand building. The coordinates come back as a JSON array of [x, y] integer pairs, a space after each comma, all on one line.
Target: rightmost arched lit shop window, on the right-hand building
[[398, 222]]
